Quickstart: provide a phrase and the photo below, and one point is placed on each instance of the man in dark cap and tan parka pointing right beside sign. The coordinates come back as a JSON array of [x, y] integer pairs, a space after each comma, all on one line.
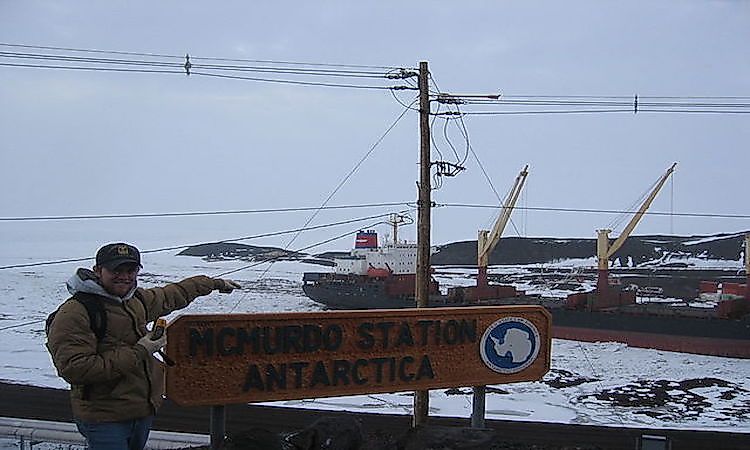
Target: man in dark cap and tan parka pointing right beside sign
[[116, 383]]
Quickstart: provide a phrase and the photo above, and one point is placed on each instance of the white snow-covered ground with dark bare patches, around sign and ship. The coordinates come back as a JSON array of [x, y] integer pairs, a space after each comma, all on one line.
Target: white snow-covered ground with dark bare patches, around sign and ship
[[589, 383]]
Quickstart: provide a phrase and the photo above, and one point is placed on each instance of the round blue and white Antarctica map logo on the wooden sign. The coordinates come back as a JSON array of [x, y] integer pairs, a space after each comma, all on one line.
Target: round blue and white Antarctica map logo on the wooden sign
[[510, 345]]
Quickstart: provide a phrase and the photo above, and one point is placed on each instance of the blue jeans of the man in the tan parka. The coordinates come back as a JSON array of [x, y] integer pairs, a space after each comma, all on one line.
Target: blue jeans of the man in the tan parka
[[125, 435]]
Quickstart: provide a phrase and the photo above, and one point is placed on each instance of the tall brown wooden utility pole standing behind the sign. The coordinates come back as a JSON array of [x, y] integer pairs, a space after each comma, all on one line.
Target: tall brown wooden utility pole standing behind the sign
[[422, 289]]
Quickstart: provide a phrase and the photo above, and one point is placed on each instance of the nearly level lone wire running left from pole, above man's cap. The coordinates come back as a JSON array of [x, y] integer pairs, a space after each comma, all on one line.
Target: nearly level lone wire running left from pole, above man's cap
[[199, 213]]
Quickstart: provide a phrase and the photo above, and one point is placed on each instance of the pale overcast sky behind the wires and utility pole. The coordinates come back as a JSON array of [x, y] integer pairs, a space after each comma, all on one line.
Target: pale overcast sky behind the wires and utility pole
[[93, 142]]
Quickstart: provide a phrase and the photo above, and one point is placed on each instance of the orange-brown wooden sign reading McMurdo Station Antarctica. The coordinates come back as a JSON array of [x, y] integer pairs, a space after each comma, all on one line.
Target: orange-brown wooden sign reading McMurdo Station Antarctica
[[242, 358]]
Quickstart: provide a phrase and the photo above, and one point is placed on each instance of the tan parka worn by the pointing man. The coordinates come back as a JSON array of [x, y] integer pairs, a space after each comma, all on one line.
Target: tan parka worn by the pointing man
[[113, 379]]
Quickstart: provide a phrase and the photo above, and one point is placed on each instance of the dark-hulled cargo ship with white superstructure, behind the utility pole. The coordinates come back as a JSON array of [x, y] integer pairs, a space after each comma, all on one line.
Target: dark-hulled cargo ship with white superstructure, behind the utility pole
[[375, 276]]
